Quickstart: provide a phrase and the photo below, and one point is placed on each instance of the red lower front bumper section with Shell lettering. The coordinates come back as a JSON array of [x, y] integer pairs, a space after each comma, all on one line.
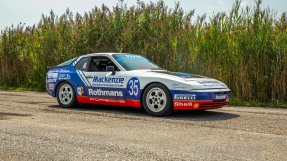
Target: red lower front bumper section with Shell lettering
[[198, 105]]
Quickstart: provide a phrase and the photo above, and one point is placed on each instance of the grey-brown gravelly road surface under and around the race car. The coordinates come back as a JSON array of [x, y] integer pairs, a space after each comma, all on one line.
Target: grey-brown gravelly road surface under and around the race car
[[34, 127]]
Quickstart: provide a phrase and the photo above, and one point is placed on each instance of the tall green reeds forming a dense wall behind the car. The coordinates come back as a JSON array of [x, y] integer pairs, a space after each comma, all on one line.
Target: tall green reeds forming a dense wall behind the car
[[246, 48]]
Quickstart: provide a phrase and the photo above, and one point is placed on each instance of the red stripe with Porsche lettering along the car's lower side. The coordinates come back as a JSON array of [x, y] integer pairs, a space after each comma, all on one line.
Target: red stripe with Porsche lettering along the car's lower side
[[109, 101]]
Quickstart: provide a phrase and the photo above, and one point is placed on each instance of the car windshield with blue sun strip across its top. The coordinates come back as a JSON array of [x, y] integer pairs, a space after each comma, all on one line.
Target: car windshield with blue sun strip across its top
[[134, 62]]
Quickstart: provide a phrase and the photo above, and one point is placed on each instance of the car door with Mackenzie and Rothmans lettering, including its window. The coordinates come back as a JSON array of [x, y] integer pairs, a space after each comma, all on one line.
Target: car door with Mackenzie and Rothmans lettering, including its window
[[105, 86]]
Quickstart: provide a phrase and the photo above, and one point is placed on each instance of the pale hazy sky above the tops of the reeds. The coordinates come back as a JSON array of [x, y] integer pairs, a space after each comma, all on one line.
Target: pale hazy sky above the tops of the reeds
[[29, 12]]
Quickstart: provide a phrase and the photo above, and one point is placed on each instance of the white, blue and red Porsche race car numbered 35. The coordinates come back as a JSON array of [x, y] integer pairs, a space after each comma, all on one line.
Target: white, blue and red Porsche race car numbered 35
[[134, 81]]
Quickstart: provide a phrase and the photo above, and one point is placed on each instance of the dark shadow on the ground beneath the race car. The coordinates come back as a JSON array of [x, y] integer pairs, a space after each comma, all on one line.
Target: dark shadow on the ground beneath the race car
[[209, 115]]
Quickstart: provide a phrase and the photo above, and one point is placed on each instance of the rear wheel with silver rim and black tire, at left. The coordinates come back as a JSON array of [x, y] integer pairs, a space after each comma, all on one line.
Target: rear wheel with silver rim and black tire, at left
[[66, 95]]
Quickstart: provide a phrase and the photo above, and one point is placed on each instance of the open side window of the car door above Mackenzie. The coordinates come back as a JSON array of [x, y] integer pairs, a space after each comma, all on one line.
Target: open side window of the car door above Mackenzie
[[100, 64]]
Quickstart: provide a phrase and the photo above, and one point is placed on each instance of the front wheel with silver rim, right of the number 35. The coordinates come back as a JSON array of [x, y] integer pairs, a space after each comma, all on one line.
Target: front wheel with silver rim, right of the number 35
[[157, 100]]
